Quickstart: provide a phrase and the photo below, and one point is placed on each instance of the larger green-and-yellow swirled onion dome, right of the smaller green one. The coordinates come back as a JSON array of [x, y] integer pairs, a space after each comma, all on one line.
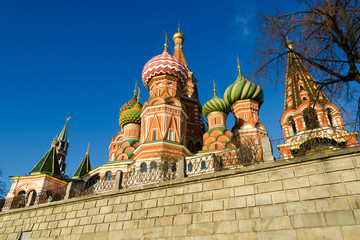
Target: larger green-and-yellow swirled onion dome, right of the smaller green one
[[243, 89]]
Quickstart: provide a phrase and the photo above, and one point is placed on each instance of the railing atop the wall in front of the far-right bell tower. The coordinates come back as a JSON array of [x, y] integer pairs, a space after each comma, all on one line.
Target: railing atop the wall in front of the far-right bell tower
[[317, 140]]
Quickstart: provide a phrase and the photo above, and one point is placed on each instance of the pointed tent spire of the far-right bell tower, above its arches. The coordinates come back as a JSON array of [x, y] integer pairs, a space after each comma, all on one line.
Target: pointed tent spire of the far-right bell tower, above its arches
[[300, 85]]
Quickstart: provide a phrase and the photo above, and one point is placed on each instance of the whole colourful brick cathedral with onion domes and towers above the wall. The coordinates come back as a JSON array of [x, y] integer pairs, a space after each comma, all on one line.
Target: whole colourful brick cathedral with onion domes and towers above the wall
[[170, 124]]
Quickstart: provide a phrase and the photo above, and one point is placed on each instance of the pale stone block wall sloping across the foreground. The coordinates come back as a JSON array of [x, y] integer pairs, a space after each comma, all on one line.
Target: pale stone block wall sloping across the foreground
[[313, 197]]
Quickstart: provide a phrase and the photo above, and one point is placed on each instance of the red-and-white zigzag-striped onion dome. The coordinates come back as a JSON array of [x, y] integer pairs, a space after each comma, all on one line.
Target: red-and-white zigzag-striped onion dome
[[164, 64]]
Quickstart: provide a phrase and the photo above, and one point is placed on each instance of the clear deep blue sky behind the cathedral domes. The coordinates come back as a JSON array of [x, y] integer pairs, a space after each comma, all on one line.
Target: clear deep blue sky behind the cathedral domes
[[80, 59]]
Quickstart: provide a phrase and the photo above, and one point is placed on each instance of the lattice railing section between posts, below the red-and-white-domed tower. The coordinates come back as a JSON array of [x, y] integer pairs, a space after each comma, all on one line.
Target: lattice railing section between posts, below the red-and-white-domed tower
[[159, 172]]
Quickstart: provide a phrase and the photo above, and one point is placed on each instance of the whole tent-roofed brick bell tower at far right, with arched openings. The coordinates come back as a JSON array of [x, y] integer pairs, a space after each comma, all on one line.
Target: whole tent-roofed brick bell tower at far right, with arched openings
[[309, 117]]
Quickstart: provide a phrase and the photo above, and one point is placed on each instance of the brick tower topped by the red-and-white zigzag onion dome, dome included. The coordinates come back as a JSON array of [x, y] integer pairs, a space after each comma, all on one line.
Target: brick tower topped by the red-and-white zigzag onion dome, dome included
[[163, 117]]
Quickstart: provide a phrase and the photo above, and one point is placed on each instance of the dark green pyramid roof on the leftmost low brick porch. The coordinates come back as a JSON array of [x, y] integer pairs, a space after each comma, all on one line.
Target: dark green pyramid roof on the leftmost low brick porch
[[48, 164]]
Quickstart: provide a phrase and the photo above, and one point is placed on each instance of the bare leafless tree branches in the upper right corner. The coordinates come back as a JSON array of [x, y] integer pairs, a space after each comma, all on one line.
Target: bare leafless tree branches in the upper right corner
[[326, 38]]
